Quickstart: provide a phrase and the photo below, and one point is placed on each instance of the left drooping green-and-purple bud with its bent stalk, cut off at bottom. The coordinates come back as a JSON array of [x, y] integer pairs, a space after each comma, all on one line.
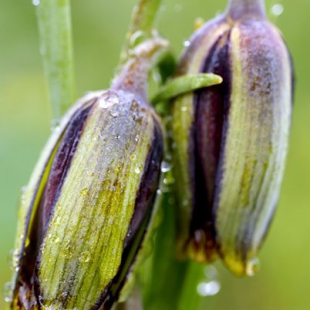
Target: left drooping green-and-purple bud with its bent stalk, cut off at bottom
[[90, 199]]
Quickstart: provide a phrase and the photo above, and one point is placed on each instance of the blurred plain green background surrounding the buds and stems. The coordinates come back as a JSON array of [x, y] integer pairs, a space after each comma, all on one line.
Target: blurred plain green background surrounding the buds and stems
[[99, 27]]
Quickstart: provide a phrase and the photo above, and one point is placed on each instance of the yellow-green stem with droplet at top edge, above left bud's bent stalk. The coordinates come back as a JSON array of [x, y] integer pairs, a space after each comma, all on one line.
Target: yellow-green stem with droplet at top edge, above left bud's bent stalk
[[141, 26]]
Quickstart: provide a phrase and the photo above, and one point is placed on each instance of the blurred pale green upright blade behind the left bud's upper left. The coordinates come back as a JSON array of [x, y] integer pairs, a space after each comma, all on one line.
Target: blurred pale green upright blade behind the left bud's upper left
[[54, 20]]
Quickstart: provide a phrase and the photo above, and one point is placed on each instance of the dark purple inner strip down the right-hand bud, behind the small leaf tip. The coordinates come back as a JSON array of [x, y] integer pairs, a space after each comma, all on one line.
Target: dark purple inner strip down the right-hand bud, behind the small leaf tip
[[208, 131]]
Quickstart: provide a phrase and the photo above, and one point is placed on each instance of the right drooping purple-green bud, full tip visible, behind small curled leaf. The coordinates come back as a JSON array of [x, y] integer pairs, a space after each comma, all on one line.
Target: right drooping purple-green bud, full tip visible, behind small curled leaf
[[231, 139]]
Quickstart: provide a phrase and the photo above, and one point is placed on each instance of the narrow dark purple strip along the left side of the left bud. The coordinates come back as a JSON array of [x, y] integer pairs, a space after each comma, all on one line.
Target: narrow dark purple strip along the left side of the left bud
[[60, 166]]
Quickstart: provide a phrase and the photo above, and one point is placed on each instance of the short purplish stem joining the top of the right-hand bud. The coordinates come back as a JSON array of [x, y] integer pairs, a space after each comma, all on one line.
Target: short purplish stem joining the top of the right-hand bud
[[239, 8]]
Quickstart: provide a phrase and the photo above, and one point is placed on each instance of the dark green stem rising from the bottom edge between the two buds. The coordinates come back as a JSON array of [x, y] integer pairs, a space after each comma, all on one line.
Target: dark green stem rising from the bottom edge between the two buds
[[163, 288]]
